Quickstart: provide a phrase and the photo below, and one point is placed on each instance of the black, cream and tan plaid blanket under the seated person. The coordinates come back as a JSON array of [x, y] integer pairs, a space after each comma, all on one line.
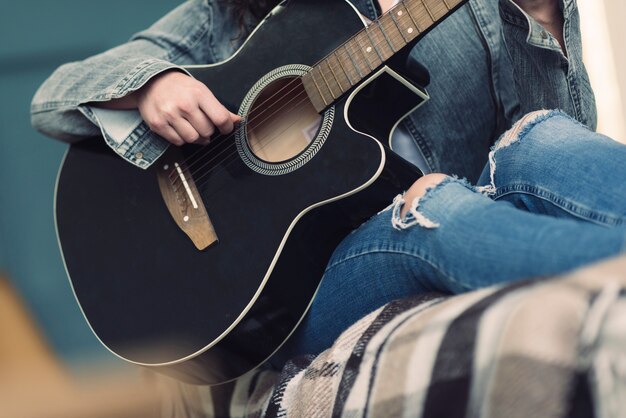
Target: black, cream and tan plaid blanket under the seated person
[[541, 348]]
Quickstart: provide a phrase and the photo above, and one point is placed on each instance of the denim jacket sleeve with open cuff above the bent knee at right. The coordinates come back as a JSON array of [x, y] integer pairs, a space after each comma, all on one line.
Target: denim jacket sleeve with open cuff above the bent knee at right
[[544, 76]]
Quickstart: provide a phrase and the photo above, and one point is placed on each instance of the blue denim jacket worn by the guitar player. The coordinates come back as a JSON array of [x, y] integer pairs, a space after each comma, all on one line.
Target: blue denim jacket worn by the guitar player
[[488, 57]]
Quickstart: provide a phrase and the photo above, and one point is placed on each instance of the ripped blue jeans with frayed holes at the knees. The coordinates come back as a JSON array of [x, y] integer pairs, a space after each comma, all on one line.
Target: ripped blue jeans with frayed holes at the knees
[[551, 198]]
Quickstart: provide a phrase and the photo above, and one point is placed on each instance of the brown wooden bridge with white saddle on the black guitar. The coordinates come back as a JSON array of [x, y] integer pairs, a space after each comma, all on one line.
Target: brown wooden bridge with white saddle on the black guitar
[[183, 200]]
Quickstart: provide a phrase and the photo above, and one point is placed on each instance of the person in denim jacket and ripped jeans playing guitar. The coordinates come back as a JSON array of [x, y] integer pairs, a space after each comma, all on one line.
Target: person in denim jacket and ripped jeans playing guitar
[[548, 195]]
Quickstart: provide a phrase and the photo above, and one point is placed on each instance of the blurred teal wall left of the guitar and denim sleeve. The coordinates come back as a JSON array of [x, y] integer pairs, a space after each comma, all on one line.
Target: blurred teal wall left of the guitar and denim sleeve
[[36, 36]]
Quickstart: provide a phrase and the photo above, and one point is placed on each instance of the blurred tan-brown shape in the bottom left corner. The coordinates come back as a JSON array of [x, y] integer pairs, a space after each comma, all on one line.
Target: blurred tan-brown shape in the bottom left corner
[[33, 383]]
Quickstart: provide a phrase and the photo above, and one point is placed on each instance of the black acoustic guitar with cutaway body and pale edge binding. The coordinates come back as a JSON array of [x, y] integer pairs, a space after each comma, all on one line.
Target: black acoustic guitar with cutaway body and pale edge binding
[[203, 265]]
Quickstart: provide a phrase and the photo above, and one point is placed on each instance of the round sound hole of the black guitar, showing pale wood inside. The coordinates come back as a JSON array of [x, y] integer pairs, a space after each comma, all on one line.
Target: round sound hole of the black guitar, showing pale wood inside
[[282, 121]]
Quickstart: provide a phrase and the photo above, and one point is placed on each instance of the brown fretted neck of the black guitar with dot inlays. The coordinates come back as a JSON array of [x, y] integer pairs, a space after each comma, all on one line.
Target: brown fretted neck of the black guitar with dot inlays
[[367, 50]]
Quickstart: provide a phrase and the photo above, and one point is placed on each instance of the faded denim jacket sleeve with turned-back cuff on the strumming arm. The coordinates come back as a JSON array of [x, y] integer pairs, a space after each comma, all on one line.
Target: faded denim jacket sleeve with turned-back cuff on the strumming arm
[[60, 107]]
